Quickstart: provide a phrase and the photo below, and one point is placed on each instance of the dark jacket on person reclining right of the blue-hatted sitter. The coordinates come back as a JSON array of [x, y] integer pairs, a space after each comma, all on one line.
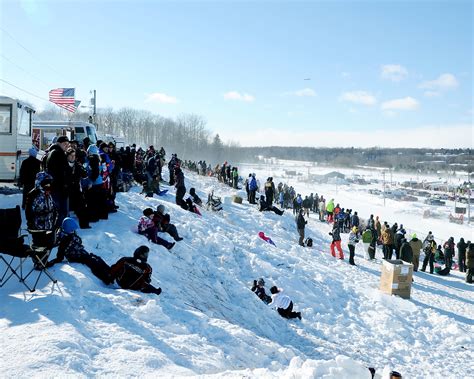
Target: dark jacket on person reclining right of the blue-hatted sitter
[[130, 273]]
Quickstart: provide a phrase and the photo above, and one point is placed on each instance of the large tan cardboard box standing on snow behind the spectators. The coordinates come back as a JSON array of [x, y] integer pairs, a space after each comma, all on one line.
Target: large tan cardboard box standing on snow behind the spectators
[[396, 278]]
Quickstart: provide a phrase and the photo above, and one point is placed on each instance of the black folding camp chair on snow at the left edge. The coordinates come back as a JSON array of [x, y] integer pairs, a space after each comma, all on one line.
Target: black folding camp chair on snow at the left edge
[[12, 245]]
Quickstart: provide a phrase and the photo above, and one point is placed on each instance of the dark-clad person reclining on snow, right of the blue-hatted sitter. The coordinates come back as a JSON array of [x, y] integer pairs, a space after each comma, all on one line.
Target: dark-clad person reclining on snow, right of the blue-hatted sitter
[[134, 273]]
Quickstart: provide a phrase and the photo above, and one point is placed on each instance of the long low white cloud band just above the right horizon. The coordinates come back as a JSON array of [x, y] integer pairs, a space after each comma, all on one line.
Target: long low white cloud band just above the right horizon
[[441, 136]]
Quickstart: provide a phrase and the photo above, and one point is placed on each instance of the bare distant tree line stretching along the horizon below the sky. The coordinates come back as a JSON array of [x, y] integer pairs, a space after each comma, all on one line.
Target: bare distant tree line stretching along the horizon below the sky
[[188, 136]]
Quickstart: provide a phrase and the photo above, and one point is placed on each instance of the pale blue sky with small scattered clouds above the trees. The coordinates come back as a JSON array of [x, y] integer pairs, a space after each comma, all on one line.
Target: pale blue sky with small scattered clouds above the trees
[[382, 73]]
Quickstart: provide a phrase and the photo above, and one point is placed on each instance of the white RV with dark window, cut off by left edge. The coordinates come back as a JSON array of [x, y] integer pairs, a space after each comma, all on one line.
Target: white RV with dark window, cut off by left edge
[[15, 136]]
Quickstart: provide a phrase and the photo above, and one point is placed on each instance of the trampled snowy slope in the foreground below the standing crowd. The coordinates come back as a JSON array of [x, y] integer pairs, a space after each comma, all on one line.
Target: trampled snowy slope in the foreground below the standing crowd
[[207, 322]]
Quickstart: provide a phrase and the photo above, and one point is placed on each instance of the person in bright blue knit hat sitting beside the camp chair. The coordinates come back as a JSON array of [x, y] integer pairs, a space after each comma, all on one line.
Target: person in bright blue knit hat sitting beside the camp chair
[[71, 248]]
